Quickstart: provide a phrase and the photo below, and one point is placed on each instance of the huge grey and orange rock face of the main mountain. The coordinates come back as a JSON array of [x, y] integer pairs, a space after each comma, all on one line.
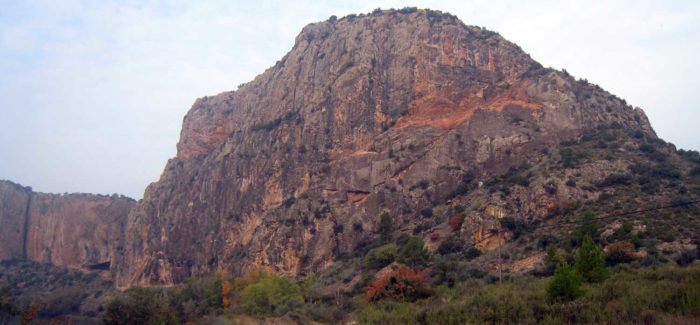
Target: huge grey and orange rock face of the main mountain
[[295, 167]]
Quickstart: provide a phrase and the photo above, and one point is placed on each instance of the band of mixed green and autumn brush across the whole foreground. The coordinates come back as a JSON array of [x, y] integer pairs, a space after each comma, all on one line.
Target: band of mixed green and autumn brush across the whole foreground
[[656, 294]]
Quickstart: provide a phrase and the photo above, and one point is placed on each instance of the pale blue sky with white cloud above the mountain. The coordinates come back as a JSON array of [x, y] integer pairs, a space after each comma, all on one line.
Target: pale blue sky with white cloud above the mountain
[[93, 93]]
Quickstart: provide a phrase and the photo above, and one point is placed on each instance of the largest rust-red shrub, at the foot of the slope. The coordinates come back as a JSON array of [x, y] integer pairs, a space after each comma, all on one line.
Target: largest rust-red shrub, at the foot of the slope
[[402, 284]]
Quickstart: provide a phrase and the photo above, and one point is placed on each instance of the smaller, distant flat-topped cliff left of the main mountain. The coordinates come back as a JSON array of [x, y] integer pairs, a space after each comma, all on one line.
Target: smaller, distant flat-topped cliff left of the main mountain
[[70, 230]]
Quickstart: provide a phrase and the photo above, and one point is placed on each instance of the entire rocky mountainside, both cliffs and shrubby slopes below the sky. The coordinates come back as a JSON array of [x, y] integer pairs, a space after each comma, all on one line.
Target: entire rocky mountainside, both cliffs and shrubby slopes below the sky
[[393, 167]]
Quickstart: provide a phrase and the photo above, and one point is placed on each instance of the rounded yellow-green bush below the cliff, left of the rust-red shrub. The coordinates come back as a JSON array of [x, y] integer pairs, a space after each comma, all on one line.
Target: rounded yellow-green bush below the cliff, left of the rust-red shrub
[[272, 296]]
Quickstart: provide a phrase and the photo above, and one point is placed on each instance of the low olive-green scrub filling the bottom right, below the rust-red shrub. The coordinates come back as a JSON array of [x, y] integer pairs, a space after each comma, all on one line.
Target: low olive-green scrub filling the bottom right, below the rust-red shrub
[[629, 296]]
